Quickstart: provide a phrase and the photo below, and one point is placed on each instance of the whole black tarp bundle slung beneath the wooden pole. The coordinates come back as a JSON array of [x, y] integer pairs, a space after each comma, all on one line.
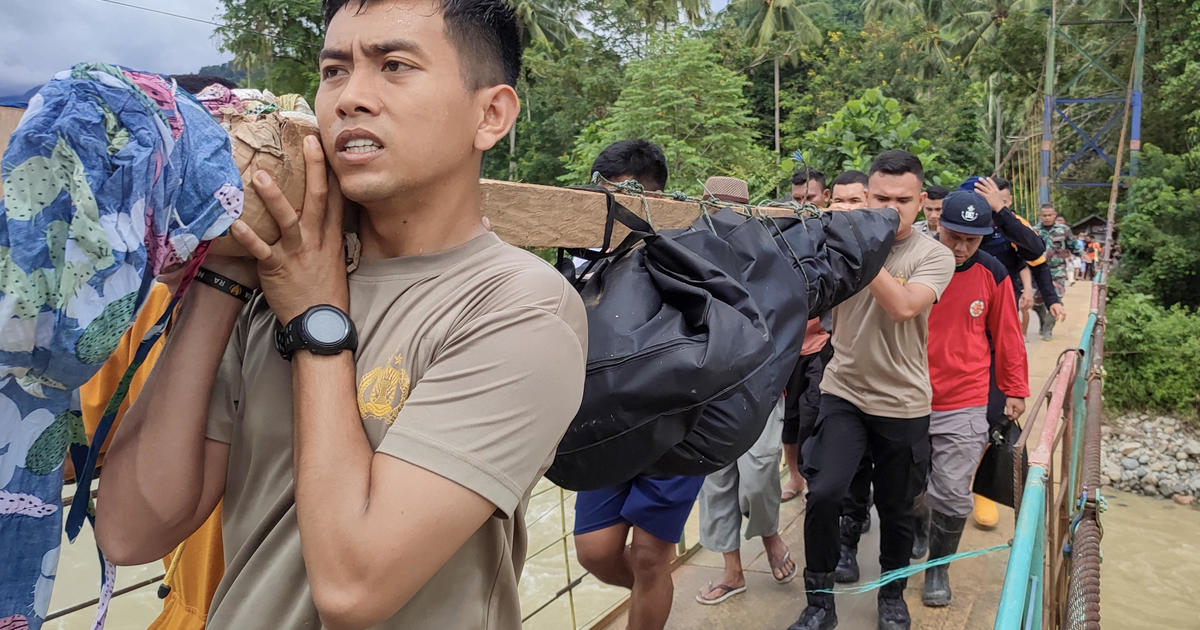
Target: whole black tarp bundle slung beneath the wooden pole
[[693, 335]]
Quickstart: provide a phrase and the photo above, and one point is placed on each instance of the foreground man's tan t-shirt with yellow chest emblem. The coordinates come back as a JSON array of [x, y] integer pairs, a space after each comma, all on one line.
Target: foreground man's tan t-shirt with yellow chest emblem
[[471, 365]]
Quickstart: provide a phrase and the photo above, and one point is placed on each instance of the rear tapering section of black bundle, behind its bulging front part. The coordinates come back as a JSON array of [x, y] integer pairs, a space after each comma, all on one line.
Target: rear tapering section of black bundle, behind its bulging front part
[[785, 263]]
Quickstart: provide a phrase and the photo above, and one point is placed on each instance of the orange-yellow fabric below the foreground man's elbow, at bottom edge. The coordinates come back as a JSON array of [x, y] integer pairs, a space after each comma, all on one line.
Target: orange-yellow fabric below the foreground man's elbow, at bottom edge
[[196, 578]]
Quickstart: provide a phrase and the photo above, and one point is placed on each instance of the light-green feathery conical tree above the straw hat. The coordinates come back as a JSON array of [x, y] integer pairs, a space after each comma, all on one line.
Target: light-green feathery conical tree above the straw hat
[[681, 98]]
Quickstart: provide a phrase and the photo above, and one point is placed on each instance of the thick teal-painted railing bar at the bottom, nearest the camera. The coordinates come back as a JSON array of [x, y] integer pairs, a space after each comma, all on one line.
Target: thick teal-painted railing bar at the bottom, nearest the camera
[[1027, 543]]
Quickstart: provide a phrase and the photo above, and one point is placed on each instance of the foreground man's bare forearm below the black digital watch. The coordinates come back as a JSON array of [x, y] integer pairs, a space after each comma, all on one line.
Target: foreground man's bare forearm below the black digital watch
[[332, 467]]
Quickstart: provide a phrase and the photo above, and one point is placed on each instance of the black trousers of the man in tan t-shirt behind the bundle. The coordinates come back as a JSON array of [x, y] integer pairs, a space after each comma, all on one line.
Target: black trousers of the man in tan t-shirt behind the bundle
[[899, 448]]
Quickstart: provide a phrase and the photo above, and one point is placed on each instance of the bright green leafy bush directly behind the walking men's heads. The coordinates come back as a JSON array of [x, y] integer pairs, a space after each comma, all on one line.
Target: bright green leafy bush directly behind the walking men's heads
[[867, 127]]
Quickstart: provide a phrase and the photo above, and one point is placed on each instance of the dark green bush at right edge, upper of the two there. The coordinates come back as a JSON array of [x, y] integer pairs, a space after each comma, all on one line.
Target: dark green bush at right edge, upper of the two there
[[1160, 241]]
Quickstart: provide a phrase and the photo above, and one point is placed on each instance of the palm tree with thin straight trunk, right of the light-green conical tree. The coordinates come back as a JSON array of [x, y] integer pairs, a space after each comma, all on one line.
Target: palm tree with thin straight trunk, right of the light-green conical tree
[[778, 28]]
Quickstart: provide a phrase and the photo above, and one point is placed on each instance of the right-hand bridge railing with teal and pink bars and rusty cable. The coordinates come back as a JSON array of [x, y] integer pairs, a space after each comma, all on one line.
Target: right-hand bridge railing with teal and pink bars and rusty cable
[[1053, 575]]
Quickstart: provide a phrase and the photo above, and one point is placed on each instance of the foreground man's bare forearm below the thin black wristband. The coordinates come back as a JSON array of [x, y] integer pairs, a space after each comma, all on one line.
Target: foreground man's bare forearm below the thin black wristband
[[155, 469]]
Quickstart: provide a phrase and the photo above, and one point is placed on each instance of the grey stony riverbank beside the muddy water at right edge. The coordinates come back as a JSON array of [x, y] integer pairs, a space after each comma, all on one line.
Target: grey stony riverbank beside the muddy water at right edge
[[1151, 455]]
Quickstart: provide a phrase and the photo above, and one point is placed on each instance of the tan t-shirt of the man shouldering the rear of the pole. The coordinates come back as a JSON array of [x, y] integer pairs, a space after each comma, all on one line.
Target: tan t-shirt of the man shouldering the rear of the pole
[[879, 365]]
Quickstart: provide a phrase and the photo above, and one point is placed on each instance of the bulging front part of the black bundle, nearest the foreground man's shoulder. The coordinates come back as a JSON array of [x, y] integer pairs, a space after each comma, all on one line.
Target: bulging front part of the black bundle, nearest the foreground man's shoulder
[[669, 332]]
